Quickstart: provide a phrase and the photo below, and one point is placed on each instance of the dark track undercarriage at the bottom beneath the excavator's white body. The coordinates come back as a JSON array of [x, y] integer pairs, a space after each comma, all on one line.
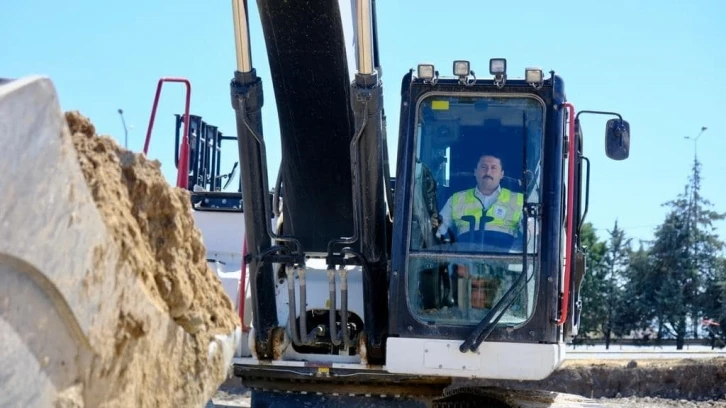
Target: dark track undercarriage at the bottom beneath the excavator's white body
[[322, 387]]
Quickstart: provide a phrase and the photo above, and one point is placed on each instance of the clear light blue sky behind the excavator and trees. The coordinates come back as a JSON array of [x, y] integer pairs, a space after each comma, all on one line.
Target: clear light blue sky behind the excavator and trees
[[659, 63]]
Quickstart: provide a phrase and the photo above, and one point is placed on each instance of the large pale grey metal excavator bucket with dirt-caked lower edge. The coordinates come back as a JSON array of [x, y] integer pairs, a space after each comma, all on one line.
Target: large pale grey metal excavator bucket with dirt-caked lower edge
[[77, 324]]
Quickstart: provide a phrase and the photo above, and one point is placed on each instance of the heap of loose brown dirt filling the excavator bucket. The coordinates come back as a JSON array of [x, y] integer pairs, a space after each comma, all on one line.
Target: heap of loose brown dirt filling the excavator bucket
[[153, 226]]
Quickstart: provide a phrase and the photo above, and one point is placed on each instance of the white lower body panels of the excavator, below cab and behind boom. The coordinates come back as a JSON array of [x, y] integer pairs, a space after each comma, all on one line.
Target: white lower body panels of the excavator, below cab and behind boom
[[223, 234]]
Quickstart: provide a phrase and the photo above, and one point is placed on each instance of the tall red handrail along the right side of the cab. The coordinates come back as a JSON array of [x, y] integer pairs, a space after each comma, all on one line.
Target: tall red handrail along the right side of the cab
[[570, 212]]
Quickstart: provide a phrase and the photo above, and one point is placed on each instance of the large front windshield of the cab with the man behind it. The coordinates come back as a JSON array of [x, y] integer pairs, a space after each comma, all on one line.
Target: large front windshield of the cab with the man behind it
[[477, 169]]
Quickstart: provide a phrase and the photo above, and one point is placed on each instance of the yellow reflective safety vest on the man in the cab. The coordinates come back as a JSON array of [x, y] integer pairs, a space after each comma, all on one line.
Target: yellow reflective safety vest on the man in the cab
[[506, 211]]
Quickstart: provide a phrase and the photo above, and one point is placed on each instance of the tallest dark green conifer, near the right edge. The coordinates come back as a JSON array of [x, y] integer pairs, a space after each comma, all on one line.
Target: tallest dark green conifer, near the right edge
[[677, 283]]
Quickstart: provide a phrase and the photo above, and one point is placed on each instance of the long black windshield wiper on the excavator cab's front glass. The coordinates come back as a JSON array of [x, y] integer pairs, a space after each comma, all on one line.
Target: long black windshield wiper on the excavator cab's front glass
[[487, 325]]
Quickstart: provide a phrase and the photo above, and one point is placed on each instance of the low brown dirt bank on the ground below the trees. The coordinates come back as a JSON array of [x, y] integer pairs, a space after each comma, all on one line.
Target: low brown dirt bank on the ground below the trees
[[683, 379]]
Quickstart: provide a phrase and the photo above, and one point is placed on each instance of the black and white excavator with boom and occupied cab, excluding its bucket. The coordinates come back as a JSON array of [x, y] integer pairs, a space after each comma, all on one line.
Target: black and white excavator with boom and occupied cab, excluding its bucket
[[356, 288]]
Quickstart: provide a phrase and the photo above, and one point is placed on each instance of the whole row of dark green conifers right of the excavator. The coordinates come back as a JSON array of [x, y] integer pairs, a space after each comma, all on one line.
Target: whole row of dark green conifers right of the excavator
[[672, 287]]
